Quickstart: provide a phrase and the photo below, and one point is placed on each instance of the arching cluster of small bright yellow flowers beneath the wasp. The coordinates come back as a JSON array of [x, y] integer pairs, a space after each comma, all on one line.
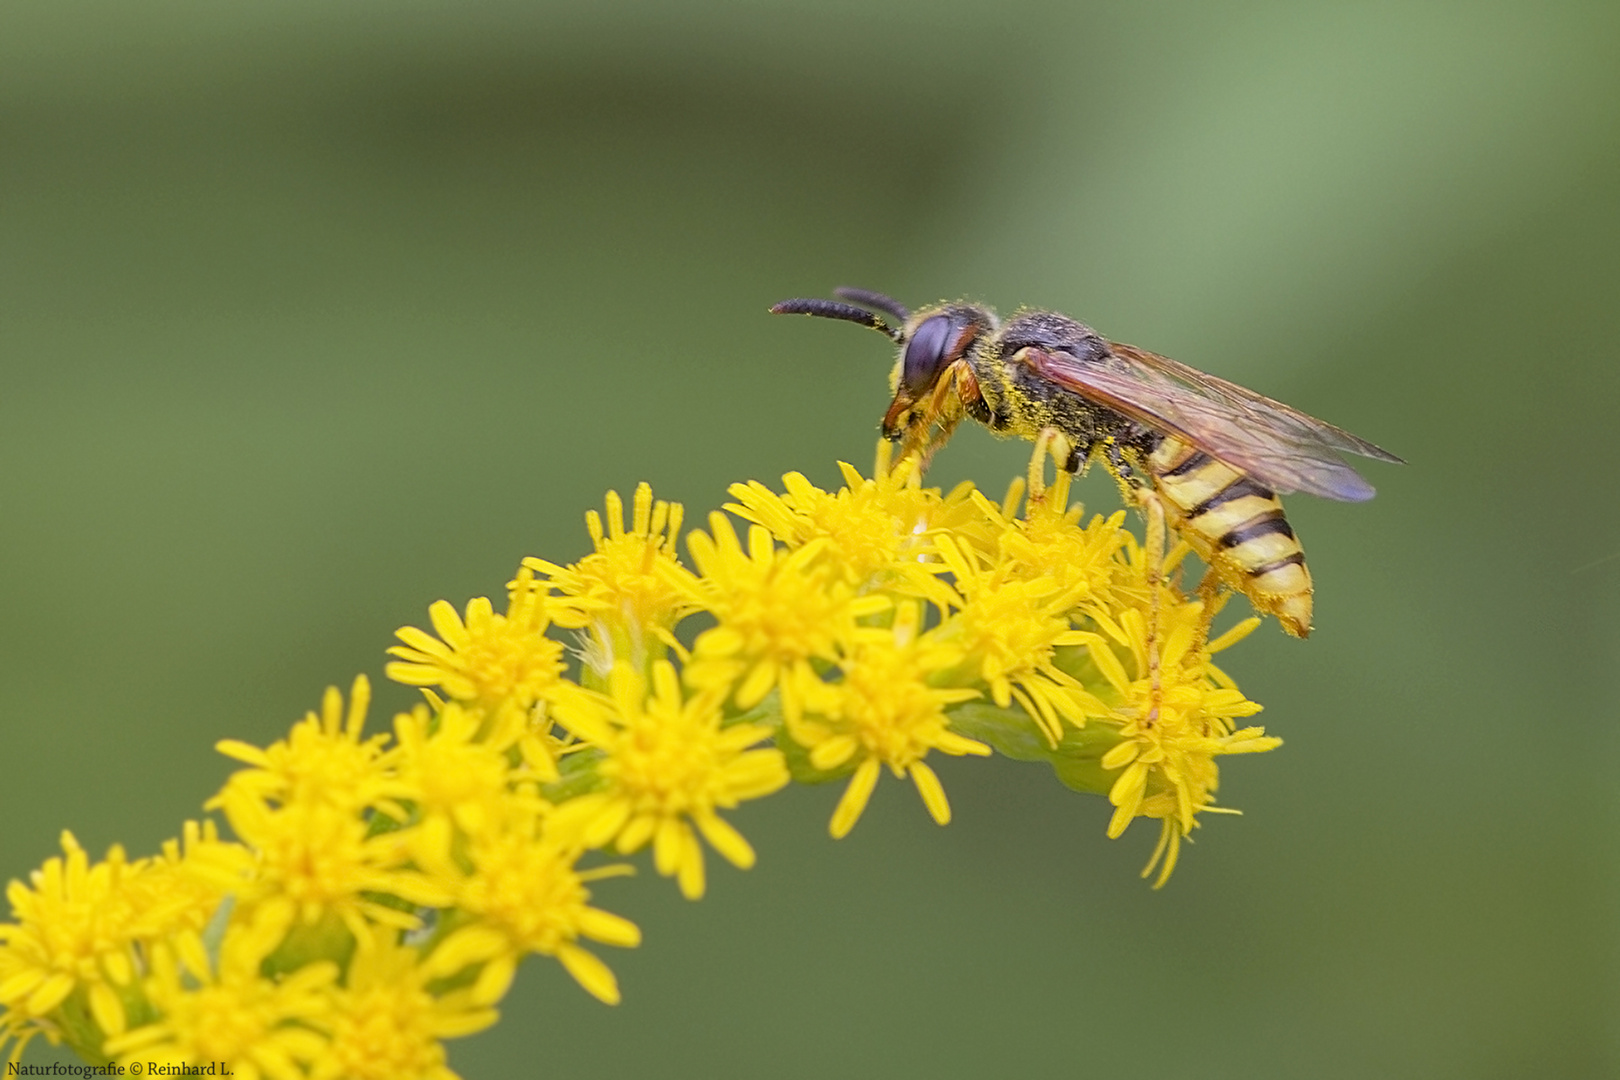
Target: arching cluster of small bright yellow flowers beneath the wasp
[[378, 891]]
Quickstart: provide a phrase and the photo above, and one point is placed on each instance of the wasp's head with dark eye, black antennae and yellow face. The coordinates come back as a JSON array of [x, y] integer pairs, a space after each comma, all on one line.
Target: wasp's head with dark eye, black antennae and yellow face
[[932, 378]]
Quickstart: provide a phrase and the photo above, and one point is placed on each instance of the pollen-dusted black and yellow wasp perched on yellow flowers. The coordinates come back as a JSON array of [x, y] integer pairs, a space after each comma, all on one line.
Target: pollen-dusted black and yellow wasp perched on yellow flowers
[[1204, 456]]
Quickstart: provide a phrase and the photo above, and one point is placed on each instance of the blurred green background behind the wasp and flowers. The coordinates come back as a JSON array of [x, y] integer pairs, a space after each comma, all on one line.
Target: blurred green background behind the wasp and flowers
[[317, 313]]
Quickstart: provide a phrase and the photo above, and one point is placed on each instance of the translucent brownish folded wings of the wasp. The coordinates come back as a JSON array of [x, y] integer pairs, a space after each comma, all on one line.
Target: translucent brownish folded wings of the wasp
[[1279, 446]]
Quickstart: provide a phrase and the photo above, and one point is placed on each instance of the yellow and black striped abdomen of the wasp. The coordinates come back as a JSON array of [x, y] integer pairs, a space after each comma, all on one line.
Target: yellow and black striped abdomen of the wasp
[[1237, 527]]
